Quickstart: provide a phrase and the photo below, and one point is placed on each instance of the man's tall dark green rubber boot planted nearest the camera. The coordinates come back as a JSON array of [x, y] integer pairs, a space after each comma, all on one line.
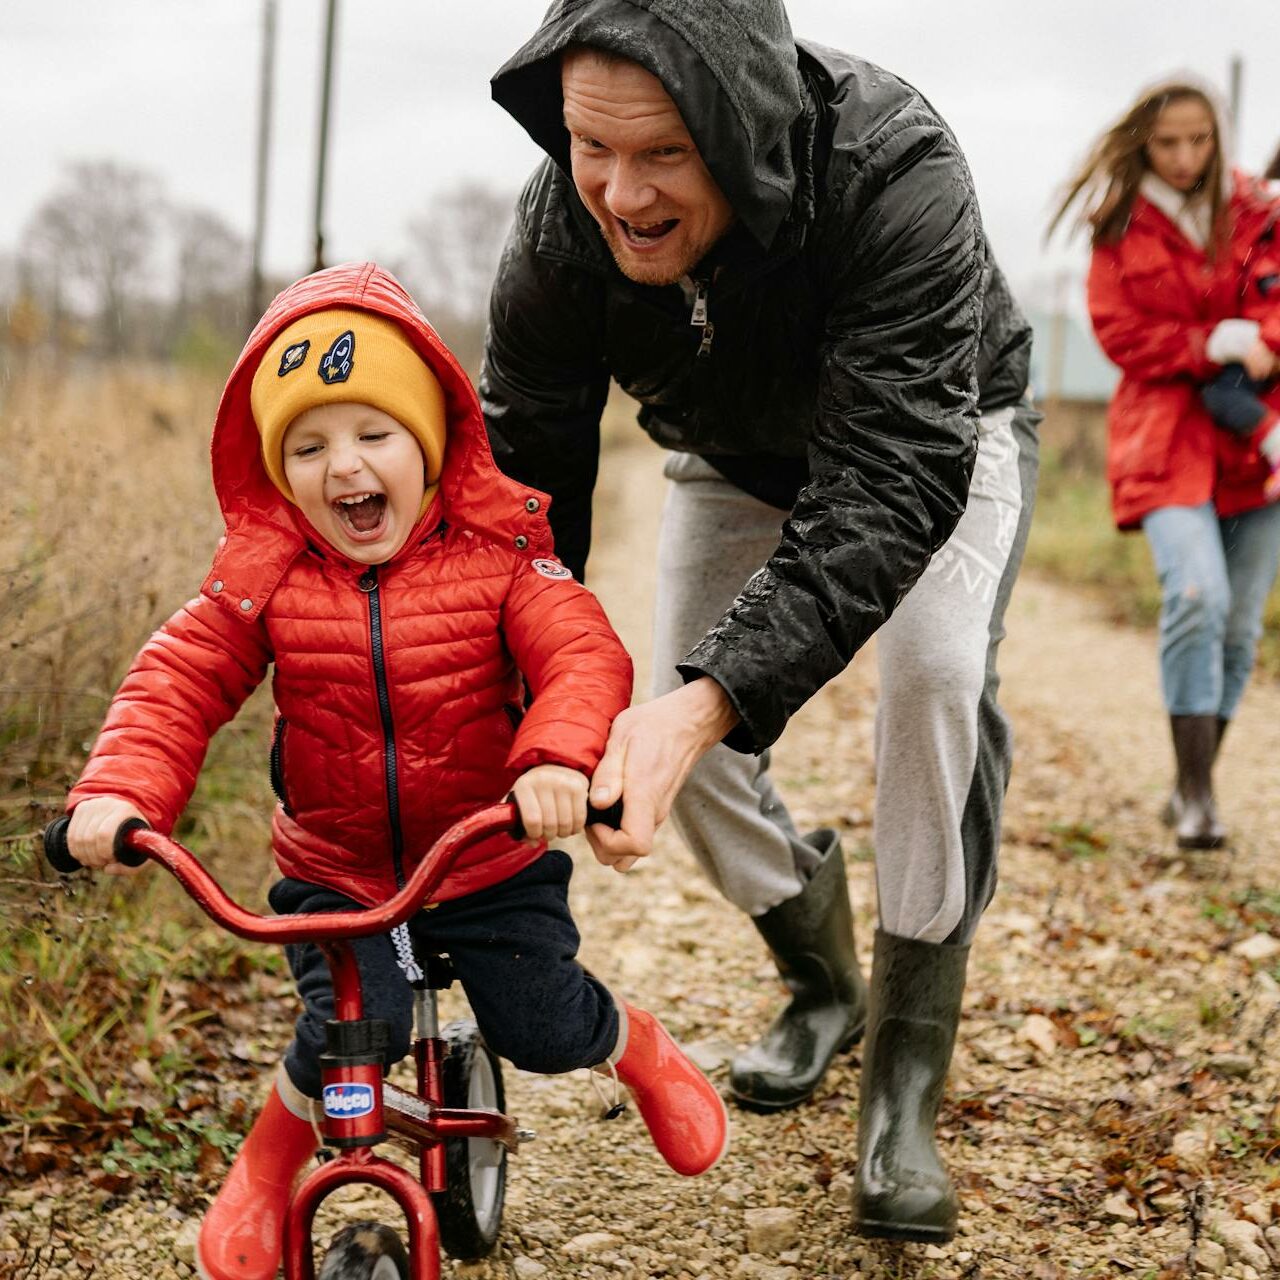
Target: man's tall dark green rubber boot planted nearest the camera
[[902, 1191]]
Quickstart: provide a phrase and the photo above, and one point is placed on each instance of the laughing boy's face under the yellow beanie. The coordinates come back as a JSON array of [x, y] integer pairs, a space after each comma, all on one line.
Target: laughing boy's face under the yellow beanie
[[359, 477]]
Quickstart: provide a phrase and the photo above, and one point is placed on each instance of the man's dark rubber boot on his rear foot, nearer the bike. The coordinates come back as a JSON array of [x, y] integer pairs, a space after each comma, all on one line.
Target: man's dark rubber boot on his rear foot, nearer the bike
[[811, 938]]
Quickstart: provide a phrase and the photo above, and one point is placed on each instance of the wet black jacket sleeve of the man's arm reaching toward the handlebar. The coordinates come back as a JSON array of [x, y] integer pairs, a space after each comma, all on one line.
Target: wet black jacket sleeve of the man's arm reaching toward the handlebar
[[894, 442]]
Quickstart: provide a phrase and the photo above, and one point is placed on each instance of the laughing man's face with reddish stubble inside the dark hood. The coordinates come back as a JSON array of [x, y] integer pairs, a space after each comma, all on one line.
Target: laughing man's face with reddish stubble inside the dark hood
[[638, 171]]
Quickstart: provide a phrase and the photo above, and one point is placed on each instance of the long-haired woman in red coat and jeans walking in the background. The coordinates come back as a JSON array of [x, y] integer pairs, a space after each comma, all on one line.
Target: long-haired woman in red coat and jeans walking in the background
[[1178, 244]]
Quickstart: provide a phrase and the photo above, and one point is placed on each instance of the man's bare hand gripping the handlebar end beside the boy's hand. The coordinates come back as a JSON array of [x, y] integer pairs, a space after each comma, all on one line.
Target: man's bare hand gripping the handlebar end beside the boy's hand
[[652, 748]]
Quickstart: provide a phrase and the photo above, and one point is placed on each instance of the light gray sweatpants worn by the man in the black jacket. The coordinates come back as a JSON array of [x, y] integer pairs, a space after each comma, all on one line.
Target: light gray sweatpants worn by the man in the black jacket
[[943, 746]]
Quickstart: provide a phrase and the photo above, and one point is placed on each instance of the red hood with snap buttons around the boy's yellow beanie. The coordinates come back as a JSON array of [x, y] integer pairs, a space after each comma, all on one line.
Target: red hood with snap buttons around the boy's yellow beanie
[[266, 532]]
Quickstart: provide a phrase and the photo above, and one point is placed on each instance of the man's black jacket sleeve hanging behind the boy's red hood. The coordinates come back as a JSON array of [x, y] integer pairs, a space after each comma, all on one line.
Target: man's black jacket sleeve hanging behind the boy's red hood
[[543, 386]]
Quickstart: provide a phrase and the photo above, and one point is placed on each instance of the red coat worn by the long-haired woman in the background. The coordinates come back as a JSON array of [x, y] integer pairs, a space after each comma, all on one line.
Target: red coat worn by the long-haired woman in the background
[[1154, 300]]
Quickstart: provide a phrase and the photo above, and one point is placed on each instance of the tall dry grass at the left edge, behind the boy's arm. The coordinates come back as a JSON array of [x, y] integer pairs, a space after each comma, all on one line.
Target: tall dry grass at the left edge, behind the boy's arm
[[111, 525]]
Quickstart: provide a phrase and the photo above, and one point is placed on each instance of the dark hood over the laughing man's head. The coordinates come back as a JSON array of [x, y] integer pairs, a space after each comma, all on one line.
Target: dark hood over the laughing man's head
[[730, 66]]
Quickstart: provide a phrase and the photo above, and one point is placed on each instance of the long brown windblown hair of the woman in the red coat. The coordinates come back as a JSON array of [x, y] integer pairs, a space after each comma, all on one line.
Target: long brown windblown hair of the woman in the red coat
[[1108, 182]]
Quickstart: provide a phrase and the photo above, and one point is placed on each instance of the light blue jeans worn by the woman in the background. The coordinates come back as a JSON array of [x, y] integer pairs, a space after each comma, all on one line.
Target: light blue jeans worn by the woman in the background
[[1215, 577]]
